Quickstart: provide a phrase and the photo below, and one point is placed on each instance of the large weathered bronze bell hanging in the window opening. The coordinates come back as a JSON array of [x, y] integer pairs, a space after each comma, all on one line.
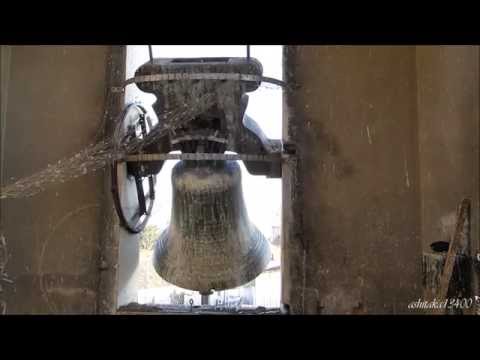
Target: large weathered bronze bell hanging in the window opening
[[210, 243]]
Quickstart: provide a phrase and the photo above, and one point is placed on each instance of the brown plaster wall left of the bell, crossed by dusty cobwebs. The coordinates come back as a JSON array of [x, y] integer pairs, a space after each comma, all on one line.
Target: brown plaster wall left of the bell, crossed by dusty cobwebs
[[56, 102]]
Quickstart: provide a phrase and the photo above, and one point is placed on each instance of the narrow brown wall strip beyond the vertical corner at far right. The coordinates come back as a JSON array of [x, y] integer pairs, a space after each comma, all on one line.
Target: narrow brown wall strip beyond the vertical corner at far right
[[448, 122]]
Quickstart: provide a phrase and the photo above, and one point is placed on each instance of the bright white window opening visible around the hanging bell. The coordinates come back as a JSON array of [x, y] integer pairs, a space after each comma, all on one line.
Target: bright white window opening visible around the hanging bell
[[138, 281]]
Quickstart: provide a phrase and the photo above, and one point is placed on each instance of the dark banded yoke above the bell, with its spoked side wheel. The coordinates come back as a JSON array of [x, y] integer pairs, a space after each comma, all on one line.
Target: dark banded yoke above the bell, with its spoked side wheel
[[205, 137]]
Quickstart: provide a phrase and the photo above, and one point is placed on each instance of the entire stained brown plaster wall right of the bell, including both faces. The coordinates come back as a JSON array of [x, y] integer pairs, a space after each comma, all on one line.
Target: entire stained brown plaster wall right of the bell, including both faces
[[388, 146]]
